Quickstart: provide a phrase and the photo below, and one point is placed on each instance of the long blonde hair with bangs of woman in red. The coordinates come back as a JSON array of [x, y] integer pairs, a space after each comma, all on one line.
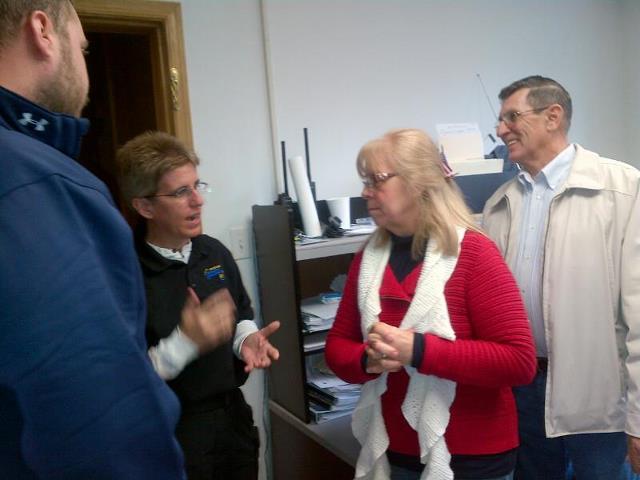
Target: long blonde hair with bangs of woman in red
[[416, 160]]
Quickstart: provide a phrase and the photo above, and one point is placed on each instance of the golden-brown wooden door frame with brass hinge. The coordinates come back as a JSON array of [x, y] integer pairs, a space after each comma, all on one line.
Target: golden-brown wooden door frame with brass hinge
[[162, 22]]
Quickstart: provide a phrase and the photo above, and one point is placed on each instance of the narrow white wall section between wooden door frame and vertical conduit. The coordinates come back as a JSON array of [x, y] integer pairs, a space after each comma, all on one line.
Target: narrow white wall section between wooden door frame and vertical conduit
[[229, 107]]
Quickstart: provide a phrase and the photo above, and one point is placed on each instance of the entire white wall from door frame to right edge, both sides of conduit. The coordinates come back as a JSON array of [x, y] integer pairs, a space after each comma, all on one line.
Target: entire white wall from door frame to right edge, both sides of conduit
[[351, 69]]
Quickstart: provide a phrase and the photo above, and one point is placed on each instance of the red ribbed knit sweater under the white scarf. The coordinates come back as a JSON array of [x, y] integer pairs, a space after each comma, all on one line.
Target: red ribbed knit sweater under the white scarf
[[493, 350]]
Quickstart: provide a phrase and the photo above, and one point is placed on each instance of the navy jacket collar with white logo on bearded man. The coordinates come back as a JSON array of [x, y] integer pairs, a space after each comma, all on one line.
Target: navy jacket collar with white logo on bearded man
[[60, 131]]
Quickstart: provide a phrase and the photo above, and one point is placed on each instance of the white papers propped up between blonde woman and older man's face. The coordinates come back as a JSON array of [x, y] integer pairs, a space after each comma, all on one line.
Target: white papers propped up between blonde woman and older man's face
[[462, 146]]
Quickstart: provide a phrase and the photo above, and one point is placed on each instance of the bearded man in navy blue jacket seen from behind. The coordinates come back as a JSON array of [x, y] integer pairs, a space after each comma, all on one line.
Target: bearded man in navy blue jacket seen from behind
[[78, 396]]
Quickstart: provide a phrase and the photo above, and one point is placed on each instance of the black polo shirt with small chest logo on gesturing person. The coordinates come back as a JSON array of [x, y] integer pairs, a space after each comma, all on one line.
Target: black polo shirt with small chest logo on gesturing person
[[211, 267]]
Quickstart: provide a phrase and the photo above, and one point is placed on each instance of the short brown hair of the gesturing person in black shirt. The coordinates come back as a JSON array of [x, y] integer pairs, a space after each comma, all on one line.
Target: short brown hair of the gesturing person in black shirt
[[143, 160]]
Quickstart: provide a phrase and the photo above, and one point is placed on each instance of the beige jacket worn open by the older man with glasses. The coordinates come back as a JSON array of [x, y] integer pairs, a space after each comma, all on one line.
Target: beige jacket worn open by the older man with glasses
[[590, 293]]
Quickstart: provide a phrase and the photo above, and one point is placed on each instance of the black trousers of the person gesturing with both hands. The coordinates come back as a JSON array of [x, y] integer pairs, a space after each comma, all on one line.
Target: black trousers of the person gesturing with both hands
[[220, 442]]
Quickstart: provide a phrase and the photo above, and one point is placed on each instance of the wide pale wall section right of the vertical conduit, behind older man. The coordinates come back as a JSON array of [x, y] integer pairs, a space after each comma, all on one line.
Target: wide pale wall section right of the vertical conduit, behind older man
[[350, 70]]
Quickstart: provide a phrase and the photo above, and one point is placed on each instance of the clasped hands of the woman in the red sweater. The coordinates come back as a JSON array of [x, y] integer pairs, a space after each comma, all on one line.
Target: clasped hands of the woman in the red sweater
[[388, 348]]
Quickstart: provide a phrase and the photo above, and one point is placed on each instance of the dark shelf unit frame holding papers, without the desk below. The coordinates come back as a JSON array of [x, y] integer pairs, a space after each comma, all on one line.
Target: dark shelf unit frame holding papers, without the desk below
[[286, 274]]
